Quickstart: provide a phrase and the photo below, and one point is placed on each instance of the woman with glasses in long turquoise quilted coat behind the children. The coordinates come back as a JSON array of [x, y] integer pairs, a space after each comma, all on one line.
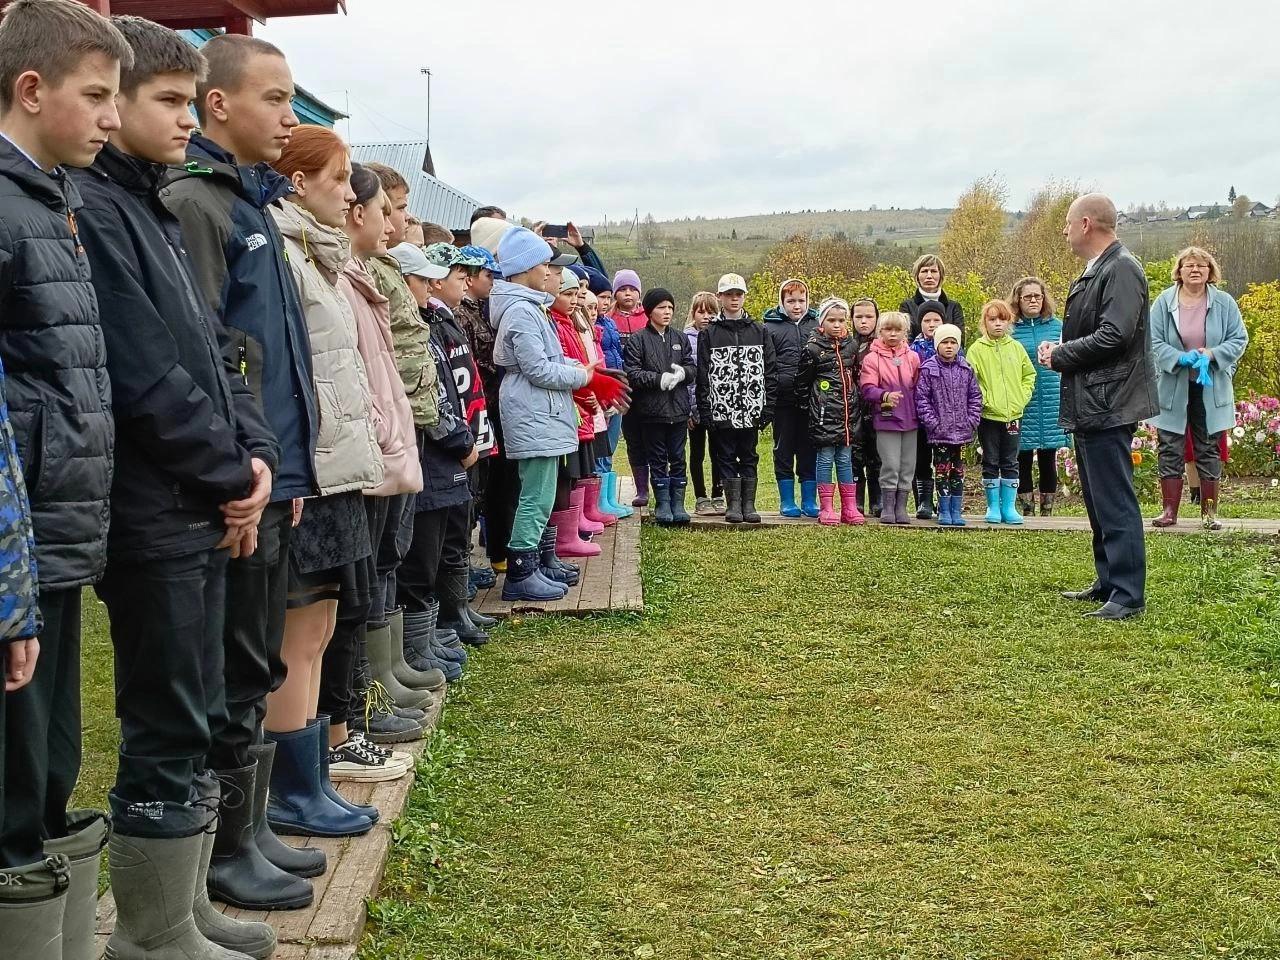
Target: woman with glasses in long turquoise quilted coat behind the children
[[1041, 436]]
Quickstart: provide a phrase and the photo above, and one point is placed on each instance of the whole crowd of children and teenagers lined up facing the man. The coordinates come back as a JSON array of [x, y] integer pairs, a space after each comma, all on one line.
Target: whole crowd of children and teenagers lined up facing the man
[[264, 415]]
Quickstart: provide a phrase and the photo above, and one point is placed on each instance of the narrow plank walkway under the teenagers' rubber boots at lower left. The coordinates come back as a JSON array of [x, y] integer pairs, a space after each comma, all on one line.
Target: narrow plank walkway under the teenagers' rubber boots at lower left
[[331, 929]]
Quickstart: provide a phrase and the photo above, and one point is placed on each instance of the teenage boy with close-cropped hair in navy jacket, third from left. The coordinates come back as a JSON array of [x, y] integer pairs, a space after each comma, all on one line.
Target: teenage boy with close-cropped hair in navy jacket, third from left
[[223, 200]]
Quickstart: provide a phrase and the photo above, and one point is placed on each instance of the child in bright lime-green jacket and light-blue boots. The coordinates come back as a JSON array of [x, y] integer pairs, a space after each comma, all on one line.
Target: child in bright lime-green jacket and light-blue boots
[[1007, 380]]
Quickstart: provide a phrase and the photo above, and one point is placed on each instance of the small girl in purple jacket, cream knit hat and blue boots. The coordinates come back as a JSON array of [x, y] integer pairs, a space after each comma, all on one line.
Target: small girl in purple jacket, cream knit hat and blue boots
[[949, 405]]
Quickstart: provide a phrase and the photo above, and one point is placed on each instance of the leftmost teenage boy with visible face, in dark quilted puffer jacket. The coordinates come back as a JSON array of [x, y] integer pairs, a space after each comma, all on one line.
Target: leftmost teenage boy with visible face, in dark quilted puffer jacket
[[60, 74]]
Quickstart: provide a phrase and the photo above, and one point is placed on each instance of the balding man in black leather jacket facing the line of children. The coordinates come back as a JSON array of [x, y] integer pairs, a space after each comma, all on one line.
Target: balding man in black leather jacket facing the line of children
[[1108, 388]]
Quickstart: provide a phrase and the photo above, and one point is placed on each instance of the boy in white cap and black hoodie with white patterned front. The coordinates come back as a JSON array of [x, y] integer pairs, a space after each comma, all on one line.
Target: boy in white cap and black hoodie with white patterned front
[[738, 391]]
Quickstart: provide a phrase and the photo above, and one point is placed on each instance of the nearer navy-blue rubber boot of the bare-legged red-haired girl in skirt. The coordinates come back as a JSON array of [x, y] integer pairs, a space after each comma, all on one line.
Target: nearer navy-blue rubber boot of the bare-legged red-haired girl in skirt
[[298, 803]]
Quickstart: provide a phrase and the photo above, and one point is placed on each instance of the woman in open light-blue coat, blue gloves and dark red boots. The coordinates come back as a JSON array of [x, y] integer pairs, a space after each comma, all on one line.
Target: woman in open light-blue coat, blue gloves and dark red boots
[[1197, 339]]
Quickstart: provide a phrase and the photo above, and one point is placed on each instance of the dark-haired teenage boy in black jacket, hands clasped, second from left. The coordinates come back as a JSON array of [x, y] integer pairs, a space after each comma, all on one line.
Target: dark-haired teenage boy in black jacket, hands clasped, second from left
[[194, 473]]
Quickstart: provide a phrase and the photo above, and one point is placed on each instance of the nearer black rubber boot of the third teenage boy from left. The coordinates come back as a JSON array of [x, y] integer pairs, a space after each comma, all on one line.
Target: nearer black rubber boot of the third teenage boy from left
[[239, 872]]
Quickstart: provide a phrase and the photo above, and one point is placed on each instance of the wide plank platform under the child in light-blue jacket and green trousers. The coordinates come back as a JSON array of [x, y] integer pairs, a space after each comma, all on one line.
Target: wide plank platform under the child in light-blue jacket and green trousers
[[610, 583]]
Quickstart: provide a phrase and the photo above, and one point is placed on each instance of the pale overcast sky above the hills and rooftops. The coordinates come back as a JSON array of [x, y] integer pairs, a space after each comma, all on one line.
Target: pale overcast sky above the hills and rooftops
[[689, 107]]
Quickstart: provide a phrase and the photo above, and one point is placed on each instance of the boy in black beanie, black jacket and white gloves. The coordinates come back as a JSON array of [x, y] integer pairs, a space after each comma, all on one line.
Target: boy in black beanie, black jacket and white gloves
[[660, 369]]
